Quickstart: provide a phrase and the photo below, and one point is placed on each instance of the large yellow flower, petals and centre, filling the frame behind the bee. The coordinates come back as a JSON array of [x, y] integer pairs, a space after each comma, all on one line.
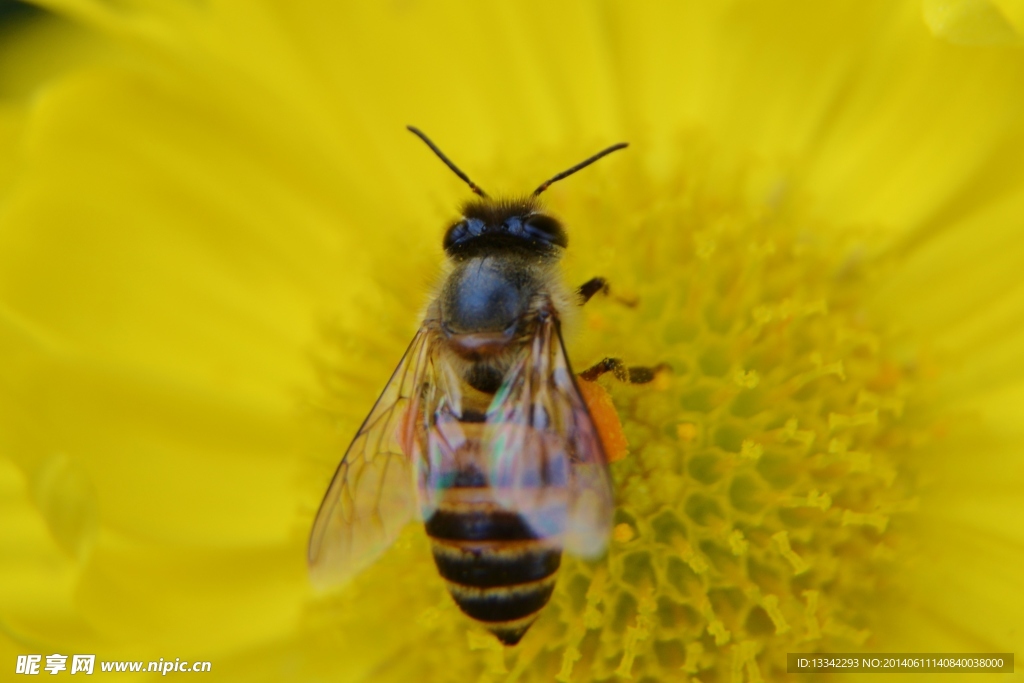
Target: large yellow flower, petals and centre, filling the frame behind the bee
[[216, 238]]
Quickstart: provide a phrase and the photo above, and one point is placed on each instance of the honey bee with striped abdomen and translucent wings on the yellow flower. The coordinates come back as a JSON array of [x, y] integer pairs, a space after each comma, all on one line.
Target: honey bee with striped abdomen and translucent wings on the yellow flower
[[482, 432]]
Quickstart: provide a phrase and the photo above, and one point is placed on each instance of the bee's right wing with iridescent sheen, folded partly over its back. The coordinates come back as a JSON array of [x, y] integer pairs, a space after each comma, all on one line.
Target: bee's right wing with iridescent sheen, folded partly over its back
[[547, 461]]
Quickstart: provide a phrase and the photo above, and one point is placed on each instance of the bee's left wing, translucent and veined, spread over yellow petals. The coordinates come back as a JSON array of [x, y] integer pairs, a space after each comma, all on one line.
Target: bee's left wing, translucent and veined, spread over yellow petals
[[372, 495]]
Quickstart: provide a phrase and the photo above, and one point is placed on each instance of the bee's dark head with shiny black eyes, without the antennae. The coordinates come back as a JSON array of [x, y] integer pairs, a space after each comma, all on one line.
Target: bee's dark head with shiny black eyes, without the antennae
[[489, 226]]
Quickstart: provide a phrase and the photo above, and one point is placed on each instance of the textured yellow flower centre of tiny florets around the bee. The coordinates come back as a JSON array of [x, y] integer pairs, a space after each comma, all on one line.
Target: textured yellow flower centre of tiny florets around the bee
[[756, 509]]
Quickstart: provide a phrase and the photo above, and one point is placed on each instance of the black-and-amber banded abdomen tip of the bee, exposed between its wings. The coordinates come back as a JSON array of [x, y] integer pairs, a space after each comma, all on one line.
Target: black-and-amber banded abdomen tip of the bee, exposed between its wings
[[495, 567]]
